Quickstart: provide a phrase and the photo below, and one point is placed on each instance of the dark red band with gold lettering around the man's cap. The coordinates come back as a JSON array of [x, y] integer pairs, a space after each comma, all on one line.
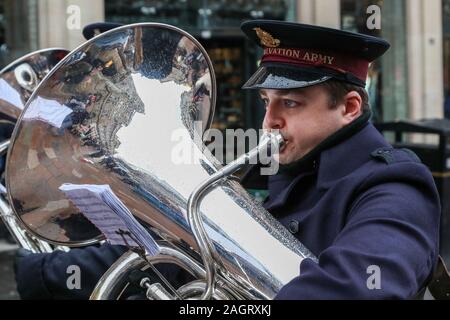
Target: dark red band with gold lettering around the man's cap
[[307, 57]]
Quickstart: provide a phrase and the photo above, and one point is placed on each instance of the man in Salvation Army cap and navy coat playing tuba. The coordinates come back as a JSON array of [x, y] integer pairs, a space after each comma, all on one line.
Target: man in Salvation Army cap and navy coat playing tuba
[[370, 213]]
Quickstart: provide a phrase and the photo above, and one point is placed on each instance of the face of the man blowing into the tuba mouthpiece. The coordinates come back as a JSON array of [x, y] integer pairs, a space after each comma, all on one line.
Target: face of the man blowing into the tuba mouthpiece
[[304, 118]]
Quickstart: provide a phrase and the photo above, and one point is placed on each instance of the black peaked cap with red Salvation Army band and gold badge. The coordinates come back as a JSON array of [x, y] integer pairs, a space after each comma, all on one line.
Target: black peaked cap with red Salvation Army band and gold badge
[[300, 55]]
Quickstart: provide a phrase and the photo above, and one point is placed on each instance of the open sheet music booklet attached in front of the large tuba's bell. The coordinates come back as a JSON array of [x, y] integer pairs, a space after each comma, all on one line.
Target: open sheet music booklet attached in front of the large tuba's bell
[[106, 211]]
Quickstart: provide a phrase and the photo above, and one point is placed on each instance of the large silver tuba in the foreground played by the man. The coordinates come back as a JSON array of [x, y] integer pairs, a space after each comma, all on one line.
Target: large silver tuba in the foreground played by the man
[[122, 110]]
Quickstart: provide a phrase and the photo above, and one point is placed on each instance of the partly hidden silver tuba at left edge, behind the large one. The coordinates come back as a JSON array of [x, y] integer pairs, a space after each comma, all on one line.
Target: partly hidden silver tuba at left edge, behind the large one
[[17, 82]]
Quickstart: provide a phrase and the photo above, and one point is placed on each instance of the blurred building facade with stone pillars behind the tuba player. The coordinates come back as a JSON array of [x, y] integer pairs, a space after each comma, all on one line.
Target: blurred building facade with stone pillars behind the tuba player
[[412, 81]]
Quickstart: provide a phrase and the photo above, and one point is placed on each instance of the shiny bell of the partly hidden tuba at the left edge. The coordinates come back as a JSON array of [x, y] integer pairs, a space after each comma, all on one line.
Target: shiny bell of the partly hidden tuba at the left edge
[[19, 79]]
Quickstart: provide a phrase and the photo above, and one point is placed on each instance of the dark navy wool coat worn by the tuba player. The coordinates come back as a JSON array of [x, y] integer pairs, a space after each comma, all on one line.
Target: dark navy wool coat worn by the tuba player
[[368, 212]]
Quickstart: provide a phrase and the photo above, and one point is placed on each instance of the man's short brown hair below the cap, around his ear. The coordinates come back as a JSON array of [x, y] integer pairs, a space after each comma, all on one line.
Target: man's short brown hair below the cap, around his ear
[[338, 89]]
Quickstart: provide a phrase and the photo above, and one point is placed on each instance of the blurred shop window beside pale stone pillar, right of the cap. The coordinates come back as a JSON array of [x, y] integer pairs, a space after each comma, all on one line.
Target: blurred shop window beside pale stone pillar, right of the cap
[[388, 77]]
